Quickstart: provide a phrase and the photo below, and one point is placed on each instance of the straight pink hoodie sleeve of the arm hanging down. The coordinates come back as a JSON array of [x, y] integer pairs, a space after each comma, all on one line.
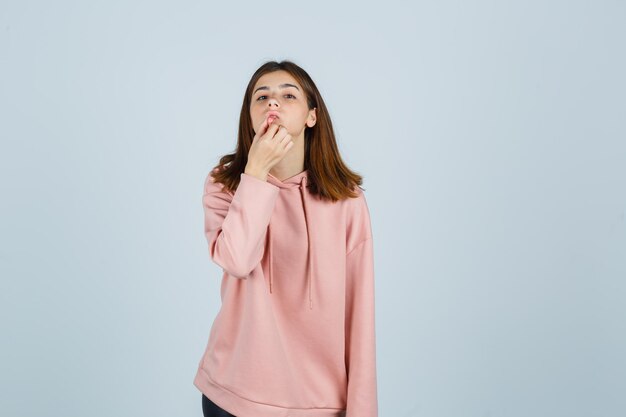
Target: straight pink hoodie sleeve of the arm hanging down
[[362, 399]]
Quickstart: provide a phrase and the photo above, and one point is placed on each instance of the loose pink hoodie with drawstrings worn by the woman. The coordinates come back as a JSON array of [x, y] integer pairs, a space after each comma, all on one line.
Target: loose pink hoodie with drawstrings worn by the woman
[[295, 334]]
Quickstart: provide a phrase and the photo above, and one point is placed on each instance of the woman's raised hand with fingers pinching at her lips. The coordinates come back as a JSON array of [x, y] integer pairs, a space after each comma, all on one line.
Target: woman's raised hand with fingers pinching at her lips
[[270, 144]]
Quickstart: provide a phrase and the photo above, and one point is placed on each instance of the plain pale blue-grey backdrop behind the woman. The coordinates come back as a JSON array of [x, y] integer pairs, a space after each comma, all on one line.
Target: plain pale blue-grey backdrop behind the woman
[[492, 142]]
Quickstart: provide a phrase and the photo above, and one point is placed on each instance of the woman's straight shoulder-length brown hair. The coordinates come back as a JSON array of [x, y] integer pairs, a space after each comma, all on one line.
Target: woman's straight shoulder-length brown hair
[[328, 176]]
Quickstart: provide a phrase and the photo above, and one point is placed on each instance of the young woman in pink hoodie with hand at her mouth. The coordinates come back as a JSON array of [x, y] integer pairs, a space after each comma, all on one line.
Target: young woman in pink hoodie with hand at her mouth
[[289, 224]]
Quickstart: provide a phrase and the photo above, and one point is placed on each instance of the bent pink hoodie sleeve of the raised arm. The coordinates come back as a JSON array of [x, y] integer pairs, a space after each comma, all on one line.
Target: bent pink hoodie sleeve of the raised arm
[[235, 224]]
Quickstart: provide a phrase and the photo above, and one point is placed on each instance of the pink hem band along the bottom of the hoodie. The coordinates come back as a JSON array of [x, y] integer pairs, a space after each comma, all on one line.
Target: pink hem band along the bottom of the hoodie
[[242, 407]]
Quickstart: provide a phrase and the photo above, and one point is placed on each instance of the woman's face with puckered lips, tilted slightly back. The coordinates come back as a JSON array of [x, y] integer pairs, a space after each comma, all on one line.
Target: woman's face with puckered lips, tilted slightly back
[[278, 92]]
